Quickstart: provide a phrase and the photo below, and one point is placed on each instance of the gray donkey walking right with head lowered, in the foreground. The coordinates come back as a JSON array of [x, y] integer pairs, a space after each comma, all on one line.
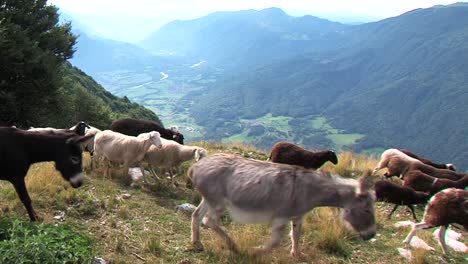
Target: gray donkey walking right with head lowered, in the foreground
[[259, 191]]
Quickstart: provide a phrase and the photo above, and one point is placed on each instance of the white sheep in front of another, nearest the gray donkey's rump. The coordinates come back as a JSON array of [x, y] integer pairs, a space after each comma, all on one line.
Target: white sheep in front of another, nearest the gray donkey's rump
[[170, 156]]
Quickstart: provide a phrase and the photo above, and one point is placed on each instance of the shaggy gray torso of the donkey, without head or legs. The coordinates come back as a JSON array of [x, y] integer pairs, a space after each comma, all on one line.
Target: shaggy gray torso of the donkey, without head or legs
[[242, 185]]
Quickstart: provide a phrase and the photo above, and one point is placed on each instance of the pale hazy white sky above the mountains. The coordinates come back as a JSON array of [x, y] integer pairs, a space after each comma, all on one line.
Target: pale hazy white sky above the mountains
[[132, 20]]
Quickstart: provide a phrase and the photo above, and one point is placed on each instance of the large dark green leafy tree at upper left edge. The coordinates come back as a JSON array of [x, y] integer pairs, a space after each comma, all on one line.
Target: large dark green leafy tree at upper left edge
[[33, 46]]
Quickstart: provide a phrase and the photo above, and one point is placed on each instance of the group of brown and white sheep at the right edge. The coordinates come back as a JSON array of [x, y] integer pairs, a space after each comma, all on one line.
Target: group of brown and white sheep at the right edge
[[424, 181]]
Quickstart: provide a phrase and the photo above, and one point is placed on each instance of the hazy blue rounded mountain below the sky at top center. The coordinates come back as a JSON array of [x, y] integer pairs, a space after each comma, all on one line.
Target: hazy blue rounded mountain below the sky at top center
[[248, 37]]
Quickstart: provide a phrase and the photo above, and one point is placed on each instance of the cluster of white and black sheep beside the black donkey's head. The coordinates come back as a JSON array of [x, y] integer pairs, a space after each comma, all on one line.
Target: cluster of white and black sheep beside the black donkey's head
[[134, 142]]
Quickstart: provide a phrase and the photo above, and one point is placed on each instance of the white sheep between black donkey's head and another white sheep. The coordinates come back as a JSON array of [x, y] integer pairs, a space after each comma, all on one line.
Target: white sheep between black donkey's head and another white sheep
[[122, 149]]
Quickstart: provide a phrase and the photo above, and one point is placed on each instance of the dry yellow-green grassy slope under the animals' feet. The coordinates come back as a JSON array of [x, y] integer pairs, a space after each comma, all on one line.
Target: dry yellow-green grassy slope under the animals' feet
[[134, 223]]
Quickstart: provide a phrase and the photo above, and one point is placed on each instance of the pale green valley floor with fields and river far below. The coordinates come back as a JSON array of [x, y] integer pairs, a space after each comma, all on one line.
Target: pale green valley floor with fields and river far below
[[167, 93]]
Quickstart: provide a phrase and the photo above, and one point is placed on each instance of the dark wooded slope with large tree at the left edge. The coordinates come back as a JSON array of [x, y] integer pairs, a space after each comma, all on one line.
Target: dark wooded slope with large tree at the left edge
[[38, 87]]
